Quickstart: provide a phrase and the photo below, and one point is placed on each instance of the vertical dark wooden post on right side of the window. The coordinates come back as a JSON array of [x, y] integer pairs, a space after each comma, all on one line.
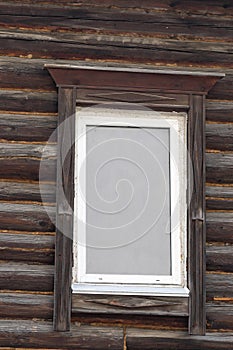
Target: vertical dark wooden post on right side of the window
[[196, 216]]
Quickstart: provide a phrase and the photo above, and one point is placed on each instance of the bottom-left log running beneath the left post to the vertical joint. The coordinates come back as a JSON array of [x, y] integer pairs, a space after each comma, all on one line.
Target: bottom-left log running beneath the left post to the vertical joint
[[40, 334]]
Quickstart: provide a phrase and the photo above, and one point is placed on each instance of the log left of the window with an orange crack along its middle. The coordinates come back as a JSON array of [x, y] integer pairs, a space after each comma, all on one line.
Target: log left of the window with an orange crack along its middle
[[27, 248]]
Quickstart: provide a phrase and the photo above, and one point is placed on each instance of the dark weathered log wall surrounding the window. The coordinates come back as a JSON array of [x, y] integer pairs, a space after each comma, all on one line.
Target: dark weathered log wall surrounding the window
[[181, 34]]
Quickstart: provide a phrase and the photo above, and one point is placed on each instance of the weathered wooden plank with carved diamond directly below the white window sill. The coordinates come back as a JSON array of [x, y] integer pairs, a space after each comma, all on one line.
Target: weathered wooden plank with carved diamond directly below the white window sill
[[129, 305]]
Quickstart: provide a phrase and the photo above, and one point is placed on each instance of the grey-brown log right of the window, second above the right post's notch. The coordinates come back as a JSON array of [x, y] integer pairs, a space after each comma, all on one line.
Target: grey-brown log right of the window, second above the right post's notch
[[219, 168]]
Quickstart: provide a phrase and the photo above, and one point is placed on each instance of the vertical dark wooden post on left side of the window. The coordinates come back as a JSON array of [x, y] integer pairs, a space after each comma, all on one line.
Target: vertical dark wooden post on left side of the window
[[64, 213]]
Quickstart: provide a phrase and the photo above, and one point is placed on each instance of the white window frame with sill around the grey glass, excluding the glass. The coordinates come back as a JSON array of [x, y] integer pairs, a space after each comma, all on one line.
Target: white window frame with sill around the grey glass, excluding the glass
[[176, 284]]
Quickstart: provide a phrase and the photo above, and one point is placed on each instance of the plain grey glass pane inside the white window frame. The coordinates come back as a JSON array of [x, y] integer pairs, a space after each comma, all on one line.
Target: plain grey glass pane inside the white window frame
[[128, 201]]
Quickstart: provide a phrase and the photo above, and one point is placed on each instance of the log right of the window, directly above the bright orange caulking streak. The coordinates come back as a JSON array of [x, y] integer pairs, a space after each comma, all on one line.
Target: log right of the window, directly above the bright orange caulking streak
[[219, 285]]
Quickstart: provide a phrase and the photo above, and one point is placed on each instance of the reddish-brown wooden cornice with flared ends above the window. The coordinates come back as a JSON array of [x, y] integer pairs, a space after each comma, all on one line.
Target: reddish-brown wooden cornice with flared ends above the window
[[141, 80]]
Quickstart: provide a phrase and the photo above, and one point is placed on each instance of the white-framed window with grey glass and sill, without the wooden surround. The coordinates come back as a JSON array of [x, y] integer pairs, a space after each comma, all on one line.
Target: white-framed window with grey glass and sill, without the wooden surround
[[129, 210]]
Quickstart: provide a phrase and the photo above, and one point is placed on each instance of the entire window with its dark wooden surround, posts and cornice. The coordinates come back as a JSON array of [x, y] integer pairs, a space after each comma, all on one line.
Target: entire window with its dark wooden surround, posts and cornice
[[162, 91]]
